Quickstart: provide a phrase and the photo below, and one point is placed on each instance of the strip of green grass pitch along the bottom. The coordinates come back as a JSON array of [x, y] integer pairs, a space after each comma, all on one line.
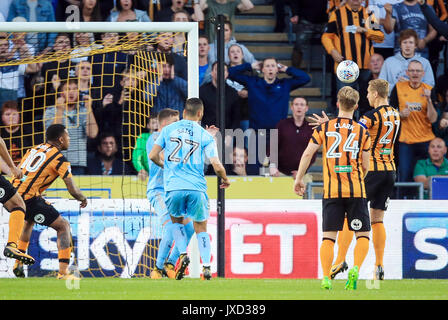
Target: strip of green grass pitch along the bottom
[[218, 289]]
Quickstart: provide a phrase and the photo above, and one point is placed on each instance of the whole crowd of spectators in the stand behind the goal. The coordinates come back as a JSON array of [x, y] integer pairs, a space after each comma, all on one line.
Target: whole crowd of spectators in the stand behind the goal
[[388, 39]]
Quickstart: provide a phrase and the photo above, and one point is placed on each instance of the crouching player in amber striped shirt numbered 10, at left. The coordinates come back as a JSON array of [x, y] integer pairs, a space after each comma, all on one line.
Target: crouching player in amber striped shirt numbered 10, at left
[[41, 166]]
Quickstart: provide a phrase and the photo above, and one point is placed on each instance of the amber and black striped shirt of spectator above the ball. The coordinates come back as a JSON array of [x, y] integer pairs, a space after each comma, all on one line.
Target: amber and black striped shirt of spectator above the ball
[[340, 34]]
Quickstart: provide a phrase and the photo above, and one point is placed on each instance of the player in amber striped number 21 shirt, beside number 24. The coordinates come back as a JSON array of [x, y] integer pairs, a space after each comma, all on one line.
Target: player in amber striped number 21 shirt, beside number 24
[[383, 124]]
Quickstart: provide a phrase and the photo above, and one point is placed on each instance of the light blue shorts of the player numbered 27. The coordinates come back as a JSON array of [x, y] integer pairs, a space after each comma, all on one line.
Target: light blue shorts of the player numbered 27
[[188, 204]]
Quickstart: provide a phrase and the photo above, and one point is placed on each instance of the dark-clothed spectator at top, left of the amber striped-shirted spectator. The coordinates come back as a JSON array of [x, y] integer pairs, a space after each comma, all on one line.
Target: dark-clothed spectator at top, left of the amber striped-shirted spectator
[[308, 19]]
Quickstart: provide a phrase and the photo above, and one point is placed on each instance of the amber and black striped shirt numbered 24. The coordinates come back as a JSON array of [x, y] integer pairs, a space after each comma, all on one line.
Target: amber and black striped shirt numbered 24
[[343, 141]]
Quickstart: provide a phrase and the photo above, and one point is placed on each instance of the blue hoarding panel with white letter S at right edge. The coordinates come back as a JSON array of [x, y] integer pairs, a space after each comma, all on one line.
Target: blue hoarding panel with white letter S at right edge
[[425, 245]]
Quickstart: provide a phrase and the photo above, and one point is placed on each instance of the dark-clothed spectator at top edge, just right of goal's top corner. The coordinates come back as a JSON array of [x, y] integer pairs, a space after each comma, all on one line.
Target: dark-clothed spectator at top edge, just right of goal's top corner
[[222, 7]]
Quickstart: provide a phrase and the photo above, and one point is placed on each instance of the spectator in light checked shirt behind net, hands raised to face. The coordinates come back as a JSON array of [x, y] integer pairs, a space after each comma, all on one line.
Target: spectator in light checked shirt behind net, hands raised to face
[[78, 118]]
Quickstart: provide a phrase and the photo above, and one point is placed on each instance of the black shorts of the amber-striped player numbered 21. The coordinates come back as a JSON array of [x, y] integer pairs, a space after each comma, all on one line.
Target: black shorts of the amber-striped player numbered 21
[[379, 188]]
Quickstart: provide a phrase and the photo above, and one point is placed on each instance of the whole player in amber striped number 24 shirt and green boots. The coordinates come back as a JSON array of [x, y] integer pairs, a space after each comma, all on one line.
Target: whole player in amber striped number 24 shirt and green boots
[[346, 151]]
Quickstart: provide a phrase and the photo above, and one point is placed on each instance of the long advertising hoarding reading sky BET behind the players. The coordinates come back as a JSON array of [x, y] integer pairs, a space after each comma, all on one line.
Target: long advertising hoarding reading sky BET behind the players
[[264, 239]]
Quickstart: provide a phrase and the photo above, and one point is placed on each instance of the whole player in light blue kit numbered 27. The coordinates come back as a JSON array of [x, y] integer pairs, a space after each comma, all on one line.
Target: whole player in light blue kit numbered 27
[[186, 144]]
